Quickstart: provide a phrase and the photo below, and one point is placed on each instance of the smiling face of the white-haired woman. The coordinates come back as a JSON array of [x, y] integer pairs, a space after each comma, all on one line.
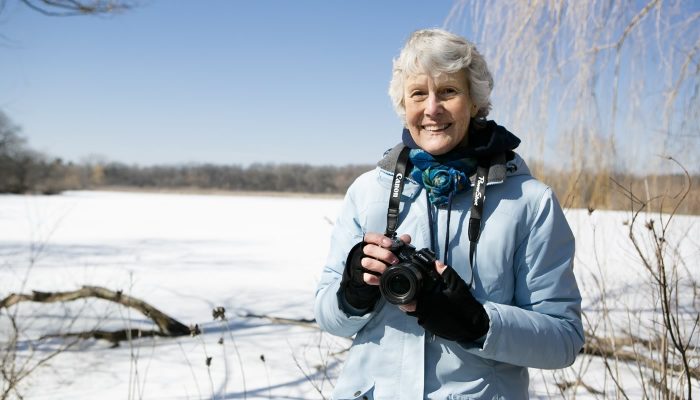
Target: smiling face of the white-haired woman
[[438, 110]]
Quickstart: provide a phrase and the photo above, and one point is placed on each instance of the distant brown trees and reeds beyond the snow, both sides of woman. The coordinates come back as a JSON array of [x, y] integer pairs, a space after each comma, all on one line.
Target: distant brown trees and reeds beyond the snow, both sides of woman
[[25, 170]]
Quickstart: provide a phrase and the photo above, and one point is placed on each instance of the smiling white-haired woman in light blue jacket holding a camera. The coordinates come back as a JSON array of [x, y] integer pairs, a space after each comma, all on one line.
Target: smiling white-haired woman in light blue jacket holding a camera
[[504, 297]]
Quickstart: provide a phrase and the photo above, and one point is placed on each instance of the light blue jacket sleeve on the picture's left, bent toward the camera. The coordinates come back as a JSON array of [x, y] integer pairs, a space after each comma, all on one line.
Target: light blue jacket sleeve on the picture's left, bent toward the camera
[[331, 312]]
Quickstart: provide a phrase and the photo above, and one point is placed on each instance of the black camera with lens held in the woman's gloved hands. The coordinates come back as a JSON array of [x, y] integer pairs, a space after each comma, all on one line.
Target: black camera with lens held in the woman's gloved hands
[[415, 272]]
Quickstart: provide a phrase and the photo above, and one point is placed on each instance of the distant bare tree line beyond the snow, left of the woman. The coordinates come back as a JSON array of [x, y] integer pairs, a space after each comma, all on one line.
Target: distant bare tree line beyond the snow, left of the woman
[[25, 170]]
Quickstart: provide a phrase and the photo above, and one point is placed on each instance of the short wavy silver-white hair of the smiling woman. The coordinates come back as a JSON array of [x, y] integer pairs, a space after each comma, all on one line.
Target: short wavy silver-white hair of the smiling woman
[[436, 52]]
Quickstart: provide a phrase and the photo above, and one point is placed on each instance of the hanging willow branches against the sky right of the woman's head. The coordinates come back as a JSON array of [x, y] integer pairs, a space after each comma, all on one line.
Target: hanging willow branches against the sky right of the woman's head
[[596, 85]]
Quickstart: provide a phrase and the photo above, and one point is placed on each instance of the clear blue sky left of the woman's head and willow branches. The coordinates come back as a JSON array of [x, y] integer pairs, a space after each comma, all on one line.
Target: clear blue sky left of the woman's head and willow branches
[[235, 82]]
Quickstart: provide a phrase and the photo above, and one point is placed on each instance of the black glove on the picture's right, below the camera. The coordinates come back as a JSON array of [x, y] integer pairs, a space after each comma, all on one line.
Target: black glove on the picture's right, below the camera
[[450, 311]]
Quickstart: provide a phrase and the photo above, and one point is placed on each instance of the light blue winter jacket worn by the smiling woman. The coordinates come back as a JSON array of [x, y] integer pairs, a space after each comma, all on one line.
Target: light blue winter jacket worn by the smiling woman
[[523, 275]]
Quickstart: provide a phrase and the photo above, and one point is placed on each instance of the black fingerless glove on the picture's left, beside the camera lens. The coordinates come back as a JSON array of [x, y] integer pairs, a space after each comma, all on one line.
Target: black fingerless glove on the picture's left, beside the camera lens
[[354, 289]]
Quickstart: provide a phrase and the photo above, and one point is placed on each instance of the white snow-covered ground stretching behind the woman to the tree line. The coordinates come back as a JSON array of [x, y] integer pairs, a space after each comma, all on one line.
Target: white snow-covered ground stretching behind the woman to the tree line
[[187, 254]]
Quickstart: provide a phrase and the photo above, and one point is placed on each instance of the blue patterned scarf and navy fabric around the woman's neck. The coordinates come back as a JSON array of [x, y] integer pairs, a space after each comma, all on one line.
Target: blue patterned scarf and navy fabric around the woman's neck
[[448, 174]]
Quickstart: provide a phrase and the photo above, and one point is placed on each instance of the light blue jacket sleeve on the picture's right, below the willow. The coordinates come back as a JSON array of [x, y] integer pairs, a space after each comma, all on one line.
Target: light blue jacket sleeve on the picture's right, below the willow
[[542, 328]]
